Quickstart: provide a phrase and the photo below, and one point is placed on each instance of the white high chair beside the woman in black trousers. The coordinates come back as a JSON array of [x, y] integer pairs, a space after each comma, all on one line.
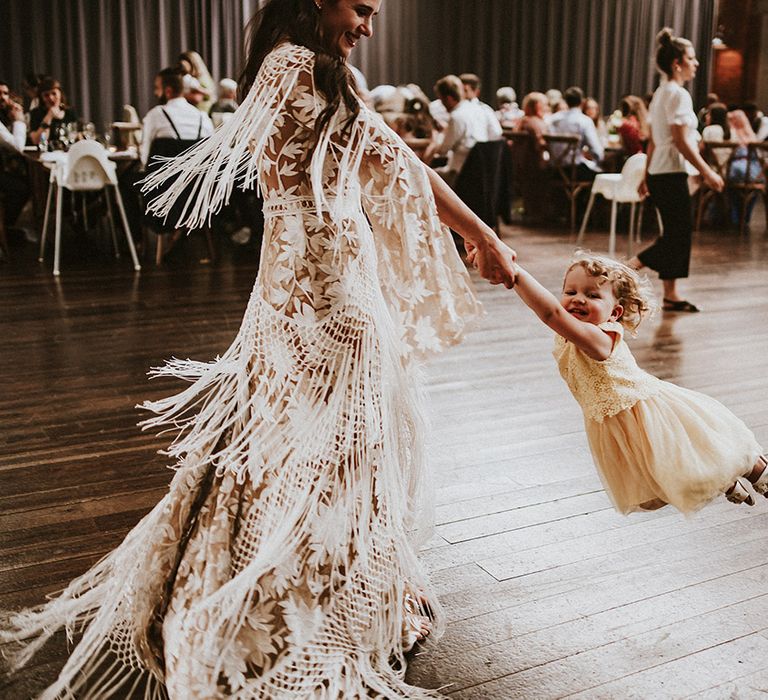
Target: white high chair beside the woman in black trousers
[[619, 188]]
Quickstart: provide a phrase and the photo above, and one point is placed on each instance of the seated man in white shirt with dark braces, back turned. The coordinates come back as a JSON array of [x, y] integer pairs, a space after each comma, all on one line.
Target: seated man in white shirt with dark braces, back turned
[[174, 117]]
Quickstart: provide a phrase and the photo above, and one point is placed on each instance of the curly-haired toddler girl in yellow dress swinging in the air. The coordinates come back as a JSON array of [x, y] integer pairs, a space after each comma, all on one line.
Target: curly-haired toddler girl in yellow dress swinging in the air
[[653, 442]]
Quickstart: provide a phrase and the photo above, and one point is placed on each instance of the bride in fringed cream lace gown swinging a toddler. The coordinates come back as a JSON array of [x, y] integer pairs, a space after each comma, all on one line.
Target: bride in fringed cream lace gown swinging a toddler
[[282, 562]]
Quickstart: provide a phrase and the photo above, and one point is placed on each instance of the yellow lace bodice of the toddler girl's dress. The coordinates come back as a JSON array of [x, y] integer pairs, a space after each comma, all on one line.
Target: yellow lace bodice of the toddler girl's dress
[[604, 388]]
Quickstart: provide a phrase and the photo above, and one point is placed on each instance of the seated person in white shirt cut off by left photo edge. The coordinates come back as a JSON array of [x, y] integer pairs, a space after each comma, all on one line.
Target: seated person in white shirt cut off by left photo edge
[[14, 183]]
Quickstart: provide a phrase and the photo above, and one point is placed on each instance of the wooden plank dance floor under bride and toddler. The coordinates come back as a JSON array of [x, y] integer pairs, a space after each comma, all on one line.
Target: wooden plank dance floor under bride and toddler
[[549, 593]]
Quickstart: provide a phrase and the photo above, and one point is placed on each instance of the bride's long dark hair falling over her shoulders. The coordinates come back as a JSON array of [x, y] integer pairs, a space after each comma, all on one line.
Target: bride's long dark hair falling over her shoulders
[[298, 21]]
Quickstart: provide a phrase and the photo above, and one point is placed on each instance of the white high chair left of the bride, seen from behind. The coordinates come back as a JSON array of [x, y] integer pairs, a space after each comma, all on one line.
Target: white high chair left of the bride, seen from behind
[[85, 168]]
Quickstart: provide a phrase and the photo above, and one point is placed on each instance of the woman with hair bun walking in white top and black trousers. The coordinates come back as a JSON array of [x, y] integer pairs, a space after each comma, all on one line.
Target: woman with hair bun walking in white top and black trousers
[[672, 156]]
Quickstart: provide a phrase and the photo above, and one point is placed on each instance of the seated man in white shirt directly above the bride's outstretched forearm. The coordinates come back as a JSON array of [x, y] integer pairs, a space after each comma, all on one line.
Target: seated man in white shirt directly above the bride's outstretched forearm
[[463, 131]]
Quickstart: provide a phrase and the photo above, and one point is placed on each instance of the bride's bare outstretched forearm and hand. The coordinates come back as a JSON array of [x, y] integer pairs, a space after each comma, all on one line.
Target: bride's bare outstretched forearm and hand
[[493, 259]]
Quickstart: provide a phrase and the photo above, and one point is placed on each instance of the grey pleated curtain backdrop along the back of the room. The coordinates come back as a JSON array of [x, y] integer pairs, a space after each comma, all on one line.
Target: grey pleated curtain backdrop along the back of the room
[[106, 52]]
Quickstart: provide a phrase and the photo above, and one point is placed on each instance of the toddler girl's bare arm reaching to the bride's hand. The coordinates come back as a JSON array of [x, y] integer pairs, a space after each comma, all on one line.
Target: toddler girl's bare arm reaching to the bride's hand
[[594, 341]]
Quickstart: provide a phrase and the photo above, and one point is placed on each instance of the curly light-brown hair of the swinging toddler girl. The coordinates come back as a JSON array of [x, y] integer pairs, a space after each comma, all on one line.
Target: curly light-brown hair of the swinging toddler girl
[[631, 290]]
